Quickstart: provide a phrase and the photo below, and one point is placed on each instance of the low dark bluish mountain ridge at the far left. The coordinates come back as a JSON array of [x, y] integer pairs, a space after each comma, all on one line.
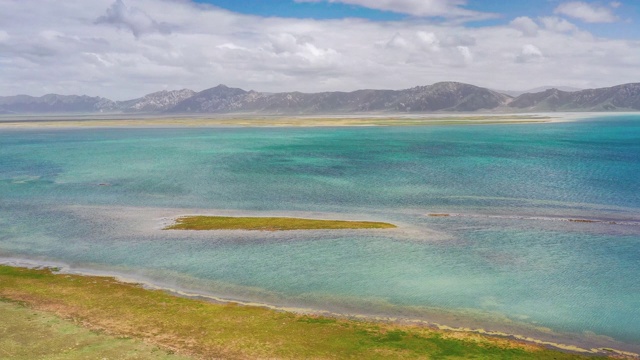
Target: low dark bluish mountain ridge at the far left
[[53, 103]]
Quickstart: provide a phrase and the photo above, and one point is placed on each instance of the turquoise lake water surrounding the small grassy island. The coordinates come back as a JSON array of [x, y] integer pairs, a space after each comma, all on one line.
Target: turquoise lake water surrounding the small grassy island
[[509, 252]]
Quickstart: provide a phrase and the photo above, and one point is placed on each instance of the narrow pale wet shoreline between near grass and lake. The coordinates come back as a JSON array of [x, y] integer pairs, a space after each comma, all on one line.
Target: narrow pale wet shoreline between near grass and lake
[[583, 347]]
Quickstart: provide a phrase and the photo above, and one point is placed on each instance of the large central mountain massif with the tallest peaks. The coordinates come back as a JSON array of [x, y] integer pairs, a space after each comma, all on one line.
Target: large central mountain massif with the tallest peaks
[[445, 96]]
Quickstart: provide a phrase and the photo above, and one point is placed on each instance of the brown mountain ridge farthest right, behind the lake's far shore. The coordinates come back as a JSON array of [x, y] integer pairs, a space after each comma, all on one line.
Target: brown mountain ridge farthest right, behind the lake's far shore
[[621, 97]]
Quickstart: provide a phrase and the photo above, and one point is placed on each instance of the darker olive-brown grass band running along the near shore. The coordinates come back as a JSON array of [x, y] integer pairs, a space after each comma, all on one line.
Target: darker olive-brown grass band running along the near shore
[[206, 330]]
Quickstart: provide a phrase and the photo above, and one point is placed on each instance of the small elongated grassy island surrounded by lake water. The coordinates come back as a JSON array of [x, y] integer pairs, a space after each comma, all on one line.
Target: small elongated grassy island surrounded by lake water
[[269, 224]]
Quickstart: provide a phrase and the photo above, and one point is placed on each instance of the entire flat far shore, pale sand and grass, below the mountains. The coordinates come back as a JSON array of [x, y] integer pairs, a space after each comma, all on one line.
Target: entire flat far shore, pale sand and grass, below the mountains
[[66, 121]]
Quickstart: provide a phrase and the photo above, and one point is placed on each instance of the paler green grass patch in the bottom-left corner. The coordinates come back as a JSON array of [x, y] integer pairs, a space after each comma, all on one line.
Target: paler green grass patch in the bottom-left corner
[[30, 334]]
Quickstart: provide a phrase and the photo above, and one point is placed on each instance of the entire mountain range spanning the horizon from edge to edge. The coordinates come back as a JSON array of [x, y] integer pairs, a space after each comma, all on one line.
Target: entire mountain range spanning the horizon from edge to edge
[[439, 97]]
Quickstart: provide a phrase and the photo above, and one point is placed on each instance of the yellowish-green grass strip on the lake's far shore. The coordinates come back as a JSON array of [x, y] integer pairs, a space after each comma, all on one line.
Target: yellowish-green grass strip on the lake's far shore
[[268, 121]]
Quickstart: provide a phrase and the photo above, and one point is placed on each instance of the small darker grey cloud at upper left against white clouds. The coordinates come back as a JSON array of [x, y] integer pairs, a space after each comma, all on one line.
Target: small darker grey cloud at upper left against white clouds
[[132, 18]]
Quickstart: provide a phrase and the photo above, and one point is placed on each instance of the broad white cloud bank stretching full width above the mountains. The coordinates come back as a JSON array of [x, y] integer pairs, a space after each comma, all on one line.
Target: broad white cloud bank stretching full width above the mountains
[[56, 47]]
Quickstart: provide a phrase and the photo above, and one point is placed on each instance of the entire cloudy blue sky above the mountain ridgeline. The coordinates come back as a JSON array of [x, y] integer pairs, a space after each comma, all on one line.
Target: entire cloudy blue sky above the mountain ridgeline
[[124, 49]]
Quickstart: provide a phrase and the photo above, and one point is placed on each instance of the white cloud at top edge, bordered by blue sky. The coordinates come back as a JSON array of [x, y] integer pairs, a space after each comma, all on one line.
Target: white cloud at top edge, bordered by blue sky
[[422, 8]]
